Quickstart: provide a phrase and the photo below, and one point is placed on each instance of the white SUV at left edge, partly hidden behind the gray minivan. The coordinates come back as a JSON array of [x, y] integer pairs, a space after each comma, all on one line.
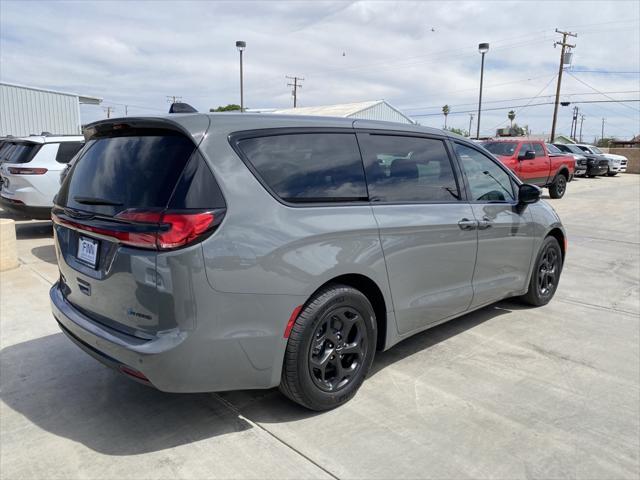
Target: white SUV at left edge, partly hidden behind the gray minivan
[[30, 171]]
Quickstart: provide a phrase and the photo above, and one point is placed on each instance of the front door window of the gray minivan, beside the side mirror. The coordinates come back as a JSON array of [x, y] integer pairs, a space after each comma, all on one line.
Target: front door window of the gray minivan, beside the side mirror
[[487, 181]]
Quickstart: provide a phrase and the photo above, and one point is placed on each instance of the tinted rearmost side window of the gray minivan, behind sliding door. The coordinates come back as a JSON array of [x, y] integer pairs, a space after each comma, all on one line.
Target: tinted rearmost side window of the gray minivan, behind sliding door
[[308, 167]]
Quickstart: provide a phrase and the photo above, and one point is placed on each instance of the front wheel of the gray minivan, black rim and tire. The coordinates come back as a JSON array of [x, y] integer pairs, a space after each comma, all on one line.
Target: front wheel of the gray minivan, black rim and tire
[[545, 274]]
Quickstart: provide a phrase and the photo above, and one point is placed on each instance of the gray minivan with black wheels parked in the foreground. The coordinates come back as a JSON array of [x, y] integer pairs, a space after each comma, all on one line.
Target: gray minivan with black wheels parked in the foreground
[[210, 252]]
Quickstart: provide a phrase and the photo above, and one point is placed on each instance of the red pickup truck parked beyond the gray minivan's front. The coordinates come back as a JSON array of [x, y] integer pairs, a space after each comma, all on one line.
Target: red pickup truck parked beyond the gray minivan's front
[[531, 162]]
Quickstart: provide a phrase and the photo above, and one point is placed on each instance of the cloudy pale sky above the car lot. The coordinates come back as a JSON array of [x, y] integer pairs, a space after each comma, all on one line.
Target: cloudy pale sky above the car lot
[[416, 55]]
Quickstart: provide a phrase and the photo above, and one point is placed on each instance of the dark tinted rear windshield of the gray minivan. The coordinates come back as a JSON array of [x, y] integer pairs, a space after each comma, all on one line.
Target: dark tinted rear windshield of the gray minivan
[[118, 173]]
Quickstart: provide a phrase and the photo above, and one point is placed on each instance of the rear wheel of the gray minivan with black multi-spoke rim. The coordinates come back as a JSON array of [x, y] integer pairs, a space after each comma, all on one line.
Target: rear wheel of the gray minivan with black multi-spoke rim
[[330, 348]]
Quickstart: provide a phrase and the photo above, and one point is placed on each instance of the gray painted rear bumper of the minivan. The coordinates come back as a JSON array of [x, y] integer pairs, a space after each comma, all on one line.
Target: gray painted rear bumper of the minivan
[[177, 361]]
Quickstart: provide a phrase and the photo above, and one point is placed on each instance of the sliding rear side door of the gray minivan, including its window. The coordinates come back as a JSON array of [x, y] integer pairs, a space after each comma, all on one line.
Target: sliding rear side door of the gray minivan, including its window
[[427, 230]]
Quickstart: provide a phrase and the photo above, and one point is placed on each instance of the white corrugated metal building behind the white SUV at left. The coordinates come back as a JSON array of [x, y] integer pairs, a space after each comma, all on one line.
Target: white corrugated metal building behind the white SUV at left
[[30, 110]]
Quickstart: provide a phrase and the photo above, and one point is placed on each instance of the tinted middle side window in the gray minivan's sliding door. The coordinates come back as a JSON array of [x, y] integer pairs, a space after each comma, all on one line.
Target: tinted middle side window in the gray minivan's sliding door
[[407, 169]]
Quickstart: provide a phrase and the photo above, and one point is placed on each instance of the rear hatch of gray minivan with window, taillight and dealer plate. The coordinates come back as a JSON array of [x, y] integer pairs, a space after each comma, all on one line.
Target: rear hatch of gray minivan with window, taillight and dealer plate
[[134, 194]]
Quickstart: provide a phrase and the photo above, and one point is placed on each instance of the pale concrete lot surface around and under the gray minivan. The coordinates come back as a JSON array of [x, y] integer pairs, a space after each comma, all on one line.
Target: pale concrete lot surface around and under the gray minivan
[[505, 392]]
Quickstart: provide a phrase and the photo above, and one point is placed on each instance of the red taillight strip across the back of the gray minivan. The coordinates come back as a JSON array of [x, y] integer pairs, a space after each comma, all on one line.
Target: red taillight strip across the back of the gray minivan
[[153, 230]]
